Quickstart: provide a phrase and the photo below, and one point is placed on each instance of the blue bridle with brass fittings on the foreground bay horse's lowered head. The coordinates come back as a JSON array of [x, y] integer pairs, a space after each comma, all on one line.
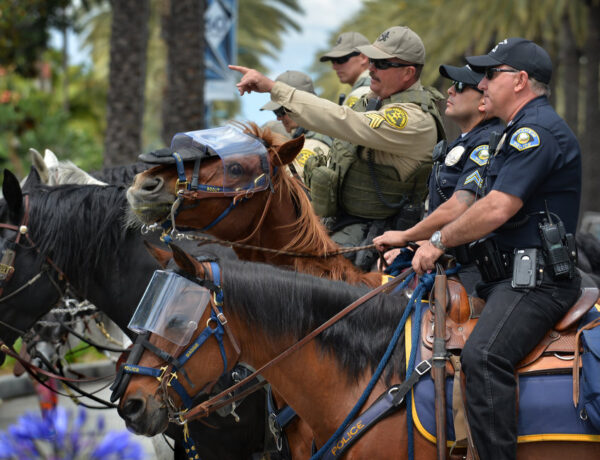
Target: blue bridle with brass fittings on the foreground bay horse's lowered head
[[167, 375]]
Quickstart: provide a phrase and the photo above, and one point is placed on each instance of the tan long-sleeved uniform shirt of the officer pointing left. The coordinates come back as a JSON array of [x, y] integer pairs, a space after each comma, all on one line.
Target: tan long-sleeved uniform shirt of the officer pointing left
[[399, 134]]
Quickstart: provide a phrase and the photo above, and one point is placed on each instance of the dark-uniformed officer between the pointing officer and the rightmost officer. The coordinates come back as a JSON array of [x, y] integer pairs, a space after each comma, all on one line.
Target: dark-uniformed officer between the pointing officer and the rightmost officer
[[456, 179]]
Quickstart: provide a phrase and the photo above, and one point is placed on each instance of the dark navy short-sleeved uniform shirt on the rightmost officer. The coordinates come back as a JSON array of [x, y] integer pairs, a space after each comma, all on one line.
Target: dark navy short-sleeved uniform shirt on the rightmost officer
[[539, 162]]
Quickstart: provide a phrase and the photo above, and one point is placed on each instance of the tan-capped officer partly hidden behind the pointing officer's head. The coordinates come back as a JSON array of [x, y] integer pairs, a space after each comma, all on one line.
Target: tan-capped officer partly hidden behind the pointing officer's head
[[350, 65]]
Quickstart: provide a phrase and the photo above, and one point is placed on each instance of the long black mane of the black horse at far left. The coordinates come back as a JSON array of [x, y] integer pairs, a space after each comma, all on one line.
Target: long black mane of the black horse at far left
[[94, 217]]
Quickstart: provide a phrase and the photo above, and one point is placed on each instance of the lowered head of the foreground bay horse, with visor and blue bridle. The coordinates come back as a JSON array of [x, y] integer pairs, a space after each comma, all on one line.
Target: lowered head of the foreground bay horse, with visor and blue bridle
[[157, 383]]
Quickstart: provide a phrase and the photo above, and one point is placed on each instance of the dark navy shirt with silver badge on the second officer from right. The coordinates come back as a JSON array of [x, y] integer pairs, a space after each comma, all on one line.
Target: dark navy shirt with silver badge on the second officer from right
[[462, 168]]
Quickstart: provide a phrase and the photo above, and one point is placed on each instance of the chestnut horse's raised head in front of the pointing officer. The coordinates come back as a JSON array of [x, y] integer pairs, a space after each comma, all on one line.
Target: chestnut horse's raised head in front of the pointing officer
[[154, 191]]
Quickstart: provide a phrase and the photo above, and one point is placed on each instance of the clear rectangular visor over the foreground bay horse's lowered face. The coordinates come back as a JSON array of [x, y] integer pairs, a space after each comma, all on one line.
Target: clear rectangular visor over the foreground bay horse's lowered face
[[171, 307]]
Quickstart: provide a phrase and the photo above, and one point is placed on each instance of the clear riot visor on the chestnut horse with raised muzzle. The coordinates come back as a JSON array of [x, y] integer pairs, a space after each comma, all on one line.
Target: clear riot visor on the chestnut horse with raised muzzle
[[245, 159]]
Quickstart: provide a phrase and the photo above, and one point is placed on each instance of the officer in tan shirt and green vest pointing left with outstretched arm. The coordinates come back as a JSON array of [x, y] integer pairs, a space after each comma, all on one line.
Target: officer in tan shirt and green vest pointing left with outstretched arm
[[381, 154]]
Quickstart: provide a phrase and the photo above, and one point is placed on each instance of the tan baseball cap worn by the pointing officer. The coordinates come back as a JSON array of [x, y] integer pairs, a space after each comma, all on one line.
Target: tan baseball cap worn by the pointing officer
[[396, 42]]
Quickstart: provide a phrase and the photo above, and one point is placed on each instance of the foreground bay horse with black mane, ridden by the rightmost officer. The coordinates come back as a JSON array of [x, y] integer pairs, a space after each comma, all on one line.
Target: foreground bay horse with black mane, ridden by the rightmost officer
[[268, 310]]
